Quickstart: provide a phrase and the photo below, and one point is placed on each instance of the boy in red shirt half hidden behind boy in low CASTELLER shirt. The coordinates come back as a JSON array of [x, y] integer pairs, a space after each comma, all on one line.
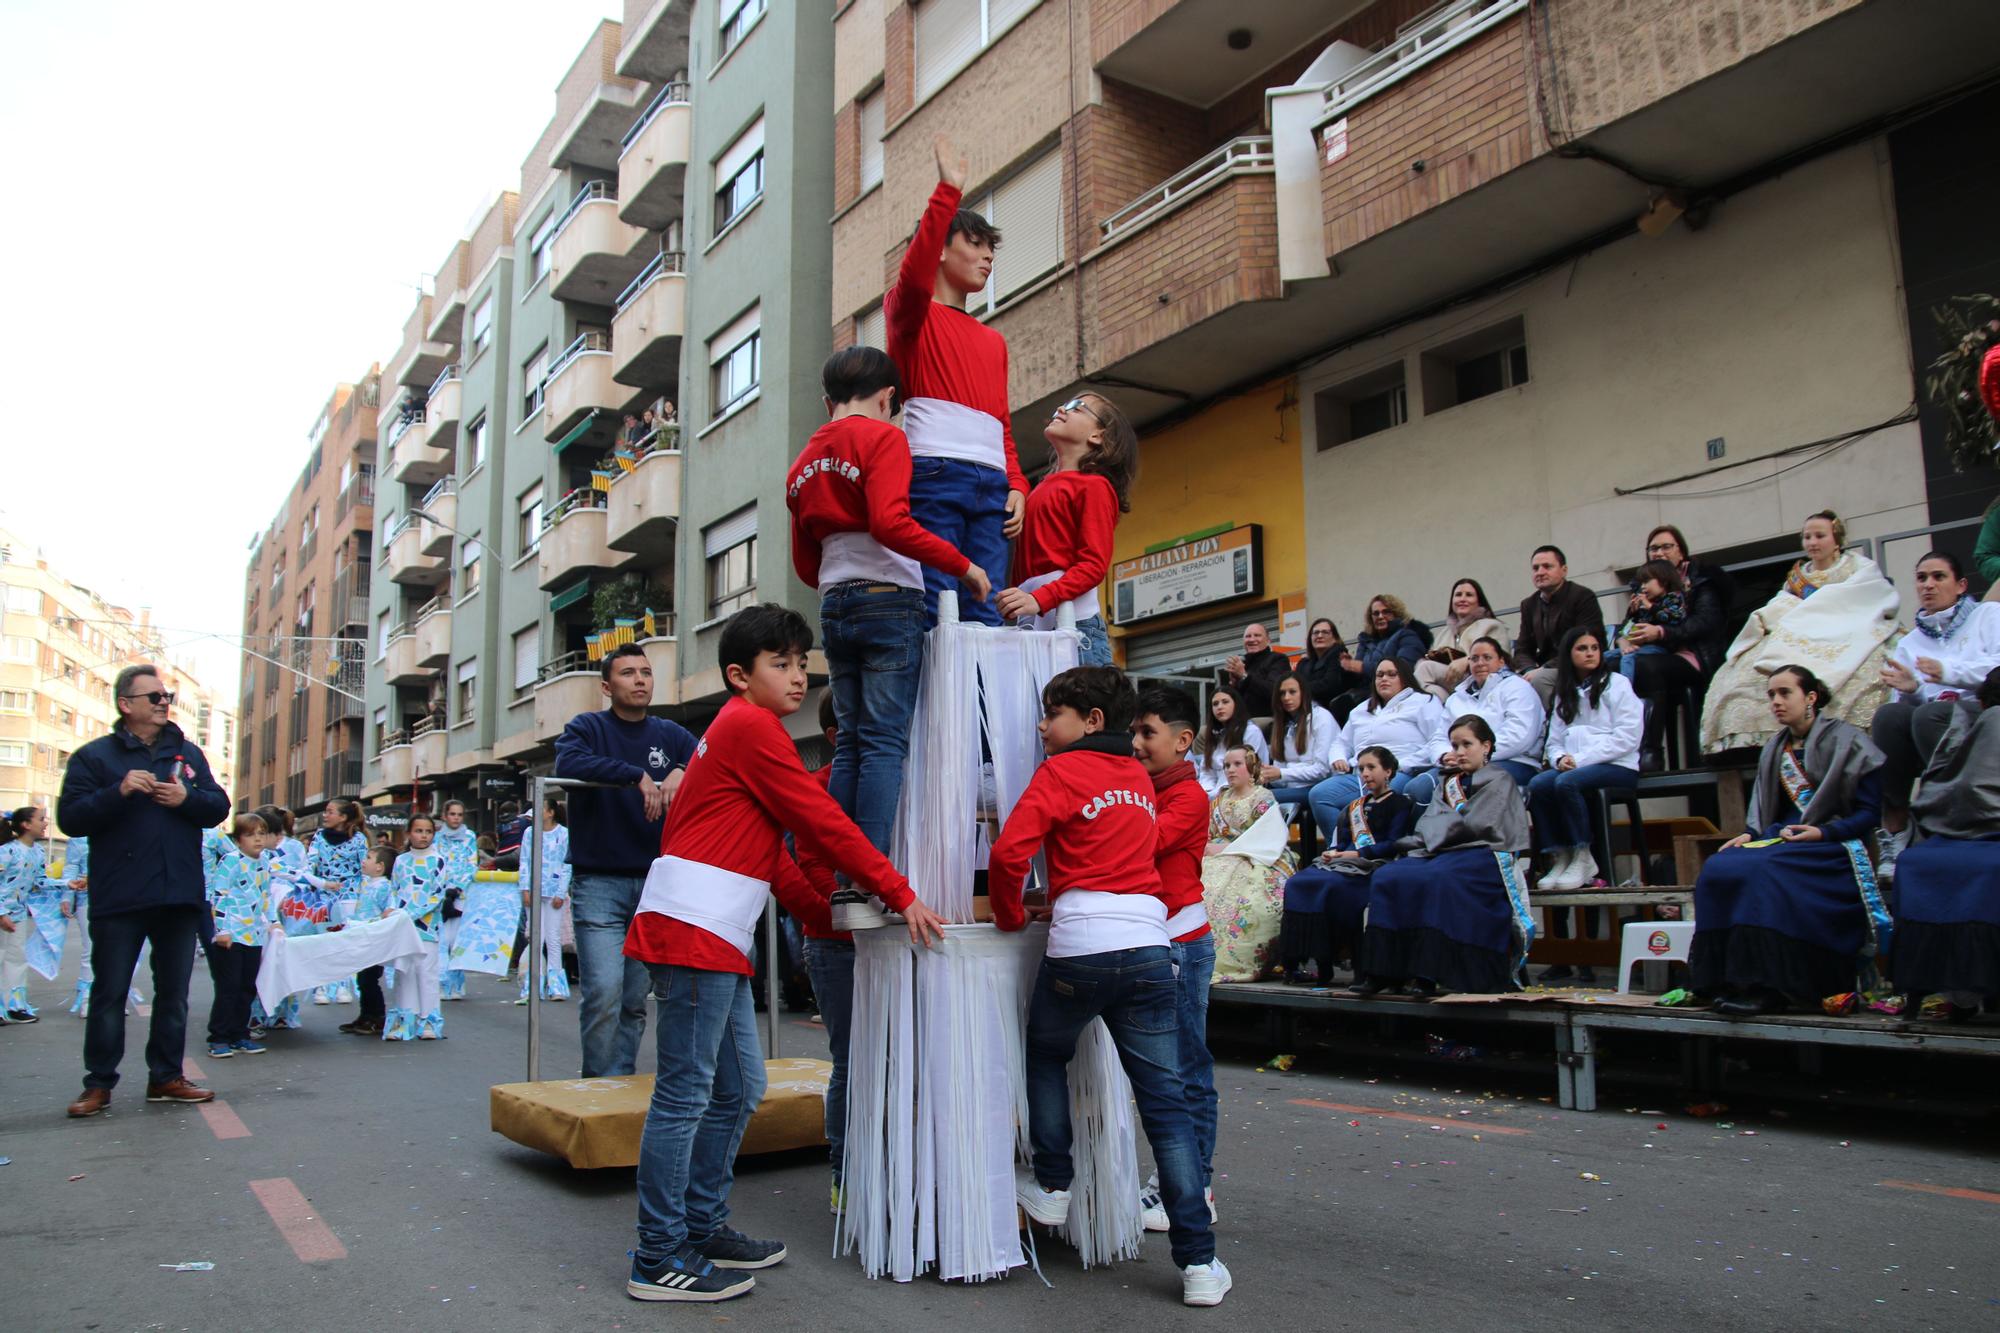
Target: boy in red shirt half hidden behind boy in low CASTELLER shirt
[[1163, 734]]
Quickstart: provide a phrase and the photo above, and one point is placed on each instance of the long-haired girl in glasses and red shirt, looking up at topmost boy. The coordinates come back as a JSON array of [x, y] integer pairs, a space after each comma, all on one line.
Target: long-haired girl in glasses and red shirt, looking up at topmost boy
[[1065, 543]]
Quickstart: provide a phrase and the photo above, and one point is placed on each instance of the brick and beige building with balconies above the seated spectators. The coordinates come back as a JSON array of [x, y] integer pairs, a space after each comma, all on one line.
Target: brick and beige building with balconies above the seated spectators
[[1399, 291]]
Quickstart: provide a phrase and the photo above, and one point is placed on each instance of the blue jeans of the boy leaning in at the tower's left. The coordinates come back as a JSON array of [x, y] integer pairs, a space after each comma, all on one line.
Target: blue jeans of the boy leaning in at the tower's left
[[711, 1080]]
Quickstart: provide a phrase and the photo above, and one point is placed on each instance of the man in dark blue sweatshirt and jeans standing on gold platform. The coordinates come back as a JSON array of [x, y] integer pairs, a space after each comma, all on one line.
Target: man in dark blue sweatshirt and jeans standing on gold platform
[[615, 838]]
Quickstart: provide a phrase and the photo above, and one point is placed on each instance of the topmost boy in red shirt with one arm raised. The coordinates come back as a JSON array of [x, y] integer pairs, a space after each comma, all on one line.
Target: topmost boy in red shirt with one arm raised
[[967, 487]]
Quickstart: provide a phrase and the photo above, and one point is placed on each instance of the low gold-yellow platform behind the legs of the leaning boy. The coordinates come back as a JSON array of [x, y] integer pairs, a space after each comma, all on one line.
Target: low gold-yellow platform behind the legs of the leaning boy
[[599, 1122]]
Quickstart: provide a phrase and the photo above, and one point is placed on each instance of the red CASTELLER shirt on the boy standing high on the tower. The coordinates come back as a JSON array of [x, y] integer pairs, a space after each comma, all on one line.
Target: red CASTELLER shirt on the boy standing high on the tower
[[855, 477]]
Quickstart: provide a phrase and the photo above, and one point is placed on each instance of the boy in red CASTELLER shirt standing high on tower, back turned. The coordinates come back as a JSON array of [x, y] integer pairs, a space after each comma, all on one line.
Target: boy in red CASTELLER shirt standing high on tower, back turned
[[855, 541]]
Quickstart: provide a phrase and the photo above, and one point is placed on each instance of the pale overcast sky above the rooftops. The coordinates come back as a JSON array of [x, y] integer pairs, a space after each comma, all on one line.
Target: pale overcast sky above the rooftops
[[221, 211]]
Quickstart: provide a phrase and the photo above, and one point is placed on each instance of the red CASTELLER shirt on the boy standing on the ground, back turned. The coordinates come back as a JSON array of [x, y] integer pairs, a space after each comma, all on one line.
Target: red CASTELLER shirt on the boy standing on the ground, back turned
[[1093, 812]]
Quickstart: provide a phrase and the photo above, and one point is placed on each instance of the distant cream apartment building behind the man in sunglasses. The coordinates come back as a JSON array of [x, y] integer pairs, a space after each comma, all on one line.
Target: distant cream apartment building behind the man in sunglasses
[[61, 651]]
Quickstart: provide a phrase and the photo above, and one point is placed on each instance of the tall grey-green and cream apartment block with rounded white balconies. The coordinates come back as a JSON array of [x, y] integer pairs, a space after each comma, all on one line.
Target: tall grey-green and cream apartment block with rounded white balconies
[[557, 453]]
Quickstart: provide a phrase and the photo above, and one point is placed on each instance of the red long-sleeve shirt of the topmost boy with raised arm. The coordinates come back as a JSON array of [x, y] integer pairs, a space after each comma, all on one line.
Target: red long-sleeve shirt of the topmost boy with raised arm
[[943, 351]]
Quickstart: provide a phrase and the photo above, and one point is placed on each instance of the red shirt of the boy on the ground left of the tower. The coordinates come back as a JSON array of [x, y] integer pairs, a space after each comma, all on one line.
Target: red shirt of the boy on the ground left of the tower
[[745, 788]]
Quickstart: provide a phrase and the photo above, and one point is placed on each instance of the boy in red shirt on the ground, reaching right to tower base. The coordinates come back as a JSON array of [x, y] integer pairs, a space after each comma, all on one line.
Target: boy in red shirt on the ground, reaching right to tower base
[[721, 860]]
